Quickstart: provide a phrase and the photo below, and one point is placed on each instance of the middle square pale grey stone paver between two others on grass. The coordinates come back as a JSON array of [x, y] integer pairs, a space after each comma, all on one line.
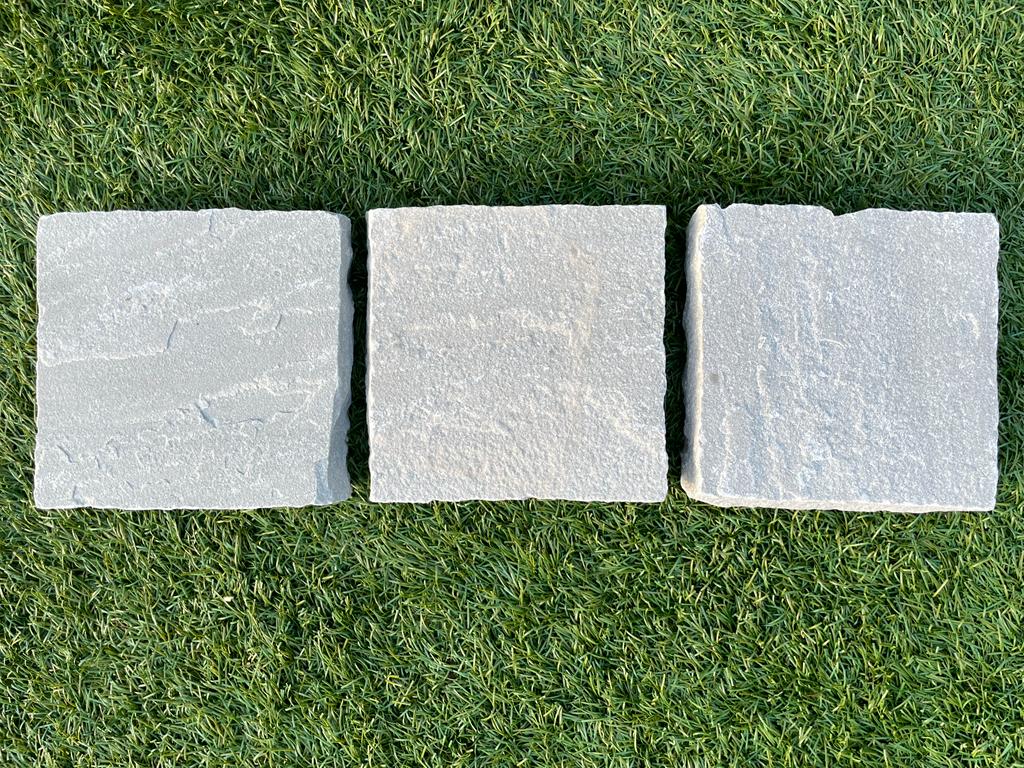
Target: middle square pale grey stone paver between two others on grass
[[517, 353]]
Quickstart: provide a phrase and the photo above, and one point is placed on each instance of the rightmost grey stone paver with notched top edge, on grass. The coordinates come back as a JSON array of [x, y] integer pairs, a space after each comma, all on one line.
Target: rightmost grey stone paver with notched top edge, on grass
[[842, 362]]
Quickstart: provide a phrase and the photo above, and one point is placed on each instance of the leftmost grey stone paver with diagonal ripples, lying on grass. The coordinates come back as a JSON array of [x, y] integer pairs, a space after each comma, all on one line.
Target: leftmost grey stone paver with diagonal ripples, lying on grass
[[193, 360]]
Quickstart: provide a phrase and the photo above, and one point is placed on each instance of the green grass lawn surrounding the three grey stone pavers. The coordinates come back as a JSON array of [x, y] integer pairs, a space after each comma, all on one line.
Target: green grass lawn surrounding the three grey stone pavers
[[525, 633]]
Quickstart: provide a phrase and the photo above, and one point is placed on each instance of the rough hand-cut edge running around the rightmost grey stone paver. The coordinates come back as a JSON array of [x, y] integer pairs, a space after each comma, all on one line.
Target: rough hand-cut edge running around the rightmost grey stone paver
[[692, 480]]
